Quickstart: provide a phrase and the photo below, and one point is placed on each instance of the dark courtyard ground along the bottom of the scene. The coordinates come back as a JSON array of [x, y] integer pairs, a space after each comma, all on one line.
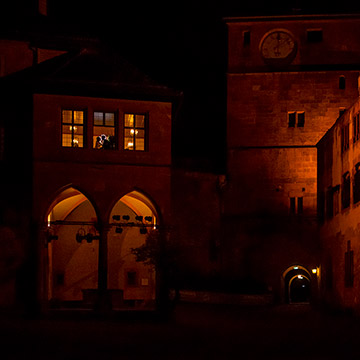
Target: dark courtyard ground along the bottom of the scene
[[196, 332]]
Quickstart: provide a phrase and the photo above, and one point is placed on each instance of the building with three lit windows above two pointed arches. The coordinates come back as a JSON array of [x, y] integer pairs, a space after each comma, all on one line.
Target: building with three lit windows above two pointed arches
[[86, 149]]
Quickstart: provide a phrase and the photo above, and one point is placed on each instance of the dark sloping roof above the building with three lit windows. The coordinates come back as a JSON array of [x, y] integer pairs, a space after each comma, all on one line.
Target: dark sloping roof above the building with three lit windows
[[90, 72]]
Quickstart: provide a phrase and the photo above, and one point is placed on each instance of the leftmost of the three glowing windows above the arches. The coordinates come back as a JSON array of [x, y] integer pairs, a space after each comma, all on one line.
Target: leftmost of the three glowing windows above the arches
[[72, 128]]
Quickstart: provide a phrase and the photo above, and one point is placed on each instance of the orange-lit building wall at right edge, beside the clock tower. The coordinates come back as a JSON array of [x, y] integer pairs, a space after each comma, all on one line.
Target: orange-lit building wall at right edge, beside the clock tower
[[338, 205]]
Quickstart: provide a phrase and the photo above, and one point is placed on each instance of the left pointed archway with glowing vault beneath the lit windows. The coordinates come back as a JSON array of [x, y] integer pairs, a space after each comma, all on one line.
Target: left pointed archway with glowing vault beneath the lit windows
[[73, 249]]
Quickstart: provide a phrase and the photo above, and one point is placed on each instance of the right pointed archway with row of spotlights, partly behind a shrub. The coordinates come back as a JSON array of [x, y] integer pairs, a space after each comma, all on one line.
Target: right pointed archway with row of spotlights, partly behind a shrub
[[131, 284]]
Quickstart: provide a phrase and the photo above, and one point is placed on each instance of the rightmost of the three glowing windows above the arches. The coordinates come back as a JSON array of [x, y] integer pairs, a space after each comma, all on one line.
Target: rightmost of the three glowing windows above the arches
[[134, 132]]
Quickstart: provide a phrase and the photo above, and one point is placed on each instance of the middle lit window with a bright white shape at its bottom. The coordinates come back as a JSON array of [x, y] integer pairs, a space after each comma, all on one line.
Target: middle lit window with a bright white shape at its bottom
[[104, 130]]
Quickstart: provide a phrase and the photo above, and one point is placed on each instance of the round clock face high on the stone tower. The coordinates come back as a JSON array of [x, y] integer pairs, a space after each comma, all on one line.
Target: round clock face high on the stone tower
[[278, 47]]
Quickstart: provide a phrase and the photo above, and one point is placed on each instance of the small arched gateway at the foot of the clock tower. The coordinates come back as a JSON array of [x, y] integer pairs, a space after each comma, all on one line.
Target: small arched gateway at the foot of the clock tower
[[297, 285]]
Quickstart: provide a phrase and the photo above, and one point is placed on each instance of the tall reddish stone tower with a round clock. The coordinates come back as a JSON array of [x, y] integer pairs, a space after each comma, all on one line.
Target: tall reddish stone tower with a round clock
[[288, 79]]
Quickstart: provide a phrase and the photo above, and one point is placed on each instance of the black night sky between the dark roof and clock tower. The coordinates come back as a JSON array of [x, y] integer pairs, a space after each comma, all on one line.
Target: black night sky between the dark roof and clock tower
[[182, 44]]
